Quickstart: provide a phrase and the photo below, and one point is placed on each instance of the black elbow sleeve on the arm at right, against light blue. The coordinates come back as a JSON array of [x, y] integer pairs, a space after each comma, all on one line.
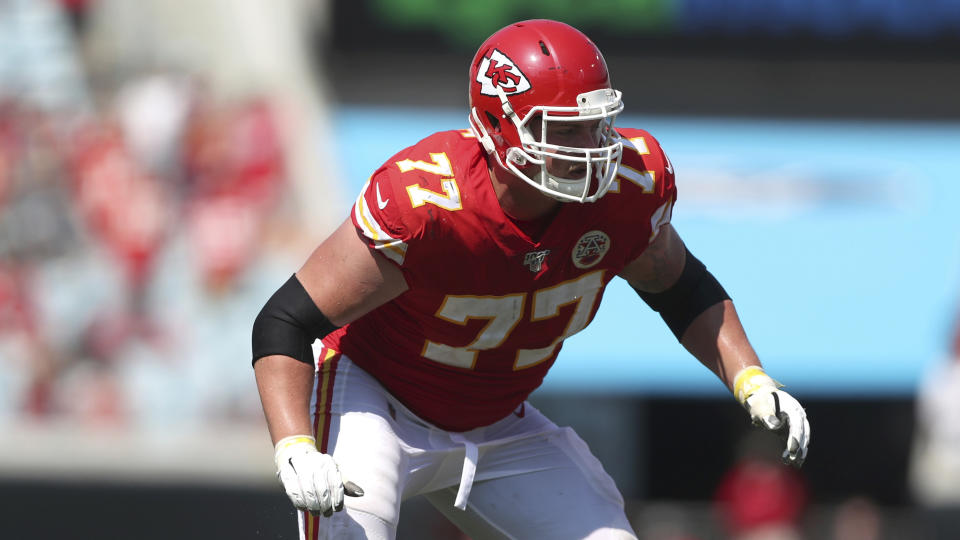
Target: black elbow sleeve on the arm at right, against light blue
[[691, 295]]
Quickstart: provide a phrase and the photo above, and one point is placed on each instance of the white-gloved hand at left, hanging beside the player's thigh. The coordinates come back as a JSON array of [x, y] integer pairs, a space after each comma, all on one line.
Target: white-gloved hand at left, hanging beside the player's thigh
[[311, 479]]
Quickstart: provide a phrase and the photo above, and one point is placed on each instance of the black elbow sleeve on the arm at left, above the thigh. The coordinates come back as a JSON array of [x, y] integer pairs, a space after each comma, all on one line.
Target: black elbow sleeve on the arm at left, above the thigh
[[289, 323]]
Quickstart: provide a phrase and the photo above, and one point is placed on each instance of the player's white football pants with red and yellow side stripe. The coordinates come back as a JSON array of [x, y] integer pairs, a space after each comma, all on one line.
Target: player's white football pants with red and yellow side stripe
[[522, 477]]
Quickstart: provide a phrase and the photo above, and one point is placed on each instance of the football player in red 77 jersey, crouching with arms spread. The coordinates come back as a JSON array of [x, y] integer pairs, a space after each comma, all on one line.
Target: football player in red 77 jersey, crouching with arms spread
[[445, 297]]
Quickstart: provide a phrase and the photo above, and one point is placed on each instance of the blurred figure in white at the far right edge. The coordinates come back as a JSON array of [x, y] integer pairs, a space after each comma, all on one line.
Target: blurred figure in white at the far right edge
[[935, 458]]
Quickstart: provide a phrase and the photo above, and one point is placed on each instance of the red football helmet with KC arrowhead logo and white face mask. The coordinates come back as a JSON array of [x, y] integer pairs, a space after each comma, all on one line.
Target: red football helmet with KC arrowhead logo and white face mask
[[530, 74]]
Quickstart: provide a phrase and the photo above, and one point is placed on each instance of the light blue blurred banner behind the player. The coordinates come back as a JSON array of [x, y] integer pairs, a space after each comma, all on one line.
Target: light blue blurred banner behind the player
[[839, 242]]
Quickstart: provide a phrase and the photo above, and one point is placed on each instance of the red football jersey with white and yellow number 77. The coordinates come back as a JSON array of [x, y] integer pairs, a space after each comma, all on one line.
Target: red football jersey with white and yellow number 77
[[488, 307]]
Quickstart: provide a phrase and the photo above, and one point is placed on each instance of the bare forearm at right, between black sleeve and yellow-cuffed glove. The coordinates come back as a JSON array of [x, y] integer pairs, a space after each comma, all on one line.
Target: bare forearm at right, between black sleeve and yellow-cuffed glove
[[717, 339]]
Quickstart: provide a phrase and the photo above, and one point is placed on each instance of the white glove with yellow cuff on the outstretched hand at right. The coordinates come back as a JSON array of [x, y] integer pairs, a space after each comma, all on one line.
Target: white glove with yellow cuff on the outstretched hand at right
[[774, 409]]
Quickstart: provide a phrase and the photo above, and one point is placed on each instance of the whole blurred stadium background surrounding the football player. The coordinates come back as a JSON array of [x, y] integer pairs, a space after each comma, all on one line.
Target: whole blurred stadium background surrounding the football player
[[166, 164]]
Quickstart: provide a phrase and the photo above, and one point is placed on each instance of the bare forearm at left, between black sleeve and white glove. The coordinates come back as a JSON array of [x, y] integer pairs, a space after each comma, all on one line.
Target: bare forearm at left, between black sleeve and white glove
[[285, 385]]
